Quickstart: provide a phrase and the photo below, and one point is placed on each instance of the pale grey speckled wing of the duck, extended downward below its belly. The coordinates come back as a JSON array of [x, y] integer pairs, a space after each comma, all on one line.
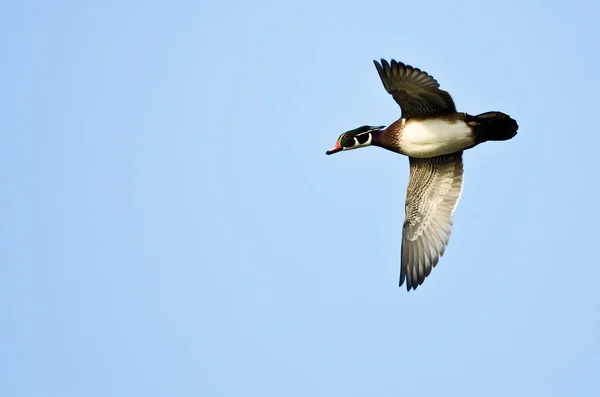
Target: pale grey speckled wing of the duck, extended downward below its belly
[[434, 188]]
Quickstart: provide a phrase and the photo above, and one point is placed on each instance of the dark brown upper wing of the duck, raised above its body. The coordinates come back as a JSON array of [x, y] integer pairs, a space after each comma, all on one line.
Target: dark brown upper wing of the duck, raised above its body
[[417, 93]]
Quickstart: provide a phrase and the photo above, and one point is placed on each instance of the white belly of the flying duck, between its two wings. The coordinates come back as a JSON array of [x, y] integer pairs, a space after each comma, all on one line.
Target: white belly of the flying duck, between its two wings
[[434, 137]]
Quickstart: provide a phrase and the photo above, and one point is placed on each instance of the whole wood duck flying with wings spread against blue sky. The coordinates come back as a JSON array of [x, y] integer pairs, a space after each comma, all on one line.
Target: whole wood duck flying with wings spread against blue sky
[[433, 135]]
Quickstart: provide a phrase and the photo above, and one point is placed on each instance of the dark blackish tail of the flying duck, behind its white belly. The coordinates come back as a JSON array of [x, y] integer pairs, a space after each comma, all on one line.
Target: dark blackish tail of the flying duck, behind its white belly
[[492, 126]]
